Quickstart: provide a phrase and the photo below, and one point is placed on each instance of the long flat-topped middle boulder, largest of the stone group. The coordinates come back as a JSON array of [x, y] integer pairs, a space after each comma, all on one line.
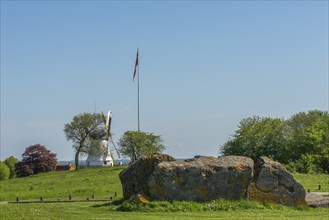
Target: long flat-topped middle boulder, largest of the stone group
[[201, 179]]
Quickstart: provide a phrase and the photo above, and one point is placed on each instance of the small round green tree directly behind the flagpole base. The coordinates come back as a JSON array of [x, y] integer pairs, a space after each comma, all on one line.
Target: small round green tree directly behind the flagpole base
[[136, 143]]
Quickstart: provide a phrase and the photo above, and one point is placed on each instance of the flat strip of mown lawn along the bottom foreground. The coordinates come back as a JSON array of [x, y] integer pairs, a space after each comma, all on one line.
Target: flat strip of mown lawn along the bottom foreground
[[101, 211]]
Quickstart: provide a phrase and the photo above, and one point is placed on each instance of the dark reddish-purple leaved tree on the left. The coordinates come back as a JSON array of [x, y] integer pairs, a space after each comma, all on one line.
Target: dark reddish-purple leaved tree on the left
[[36, 159]]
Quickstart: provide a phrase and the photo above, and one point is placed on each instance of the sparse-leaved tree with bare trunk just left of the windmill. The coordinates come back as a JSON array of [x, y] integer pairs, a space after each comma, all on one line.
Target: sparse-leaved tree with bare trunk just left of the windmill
[[79, 131]]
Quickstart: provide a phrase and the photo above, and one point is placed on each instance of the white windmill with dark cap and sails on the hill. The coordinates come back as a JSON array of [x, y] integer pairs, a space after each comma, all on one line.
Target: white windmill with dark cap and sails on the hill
[[105, 137]]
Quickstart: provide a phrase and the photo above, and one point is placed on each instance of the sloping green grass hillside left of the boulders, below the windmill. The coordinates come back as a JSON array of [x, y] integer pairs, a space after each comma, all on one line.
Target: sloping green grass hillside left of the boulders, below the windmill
[[102, 182]]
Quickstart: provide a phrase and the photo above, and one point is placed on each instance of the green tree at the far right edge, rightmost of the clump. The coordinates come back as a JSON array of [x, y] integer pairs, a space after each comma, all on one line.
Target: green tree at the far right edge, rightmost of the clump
[[307, 133]]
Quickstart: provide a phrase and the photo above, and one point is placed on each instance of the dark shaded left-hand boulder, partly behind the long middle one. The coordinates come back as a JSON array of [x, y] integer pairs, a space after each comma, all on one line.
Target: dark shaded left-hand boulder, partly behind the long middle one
[[134, 178]]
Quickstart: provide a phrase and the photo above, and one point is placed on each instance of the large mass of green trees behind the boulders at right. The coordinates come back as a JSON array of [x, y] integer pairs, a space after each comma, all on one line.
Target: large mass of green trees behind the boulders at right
[[301, 142]]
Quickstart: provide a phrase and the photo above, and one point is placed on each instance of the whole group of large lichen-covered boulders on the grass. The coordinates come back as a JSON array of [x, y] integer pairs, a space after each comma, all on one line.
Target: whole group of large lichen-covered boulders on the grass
[[160, 177]]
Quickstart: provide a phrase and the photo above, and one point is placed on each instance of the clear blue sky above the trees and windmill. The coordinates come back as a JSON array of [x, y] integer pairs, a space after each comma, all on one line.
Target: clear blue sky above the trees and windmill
[[204, 66]]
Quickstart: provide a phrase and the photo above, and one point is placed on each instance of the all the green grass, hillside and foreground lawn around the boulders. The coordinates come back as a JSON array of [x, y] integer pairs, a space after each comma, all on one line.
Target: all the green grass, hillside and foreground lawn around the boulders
[[104, 182]]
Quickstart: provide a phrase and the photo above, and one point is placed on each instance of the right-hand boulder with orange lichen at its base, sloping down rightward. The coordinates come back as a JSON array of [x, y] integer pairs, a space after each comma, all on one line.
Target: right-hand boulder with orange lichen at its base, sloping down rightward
[[273, 183]]
